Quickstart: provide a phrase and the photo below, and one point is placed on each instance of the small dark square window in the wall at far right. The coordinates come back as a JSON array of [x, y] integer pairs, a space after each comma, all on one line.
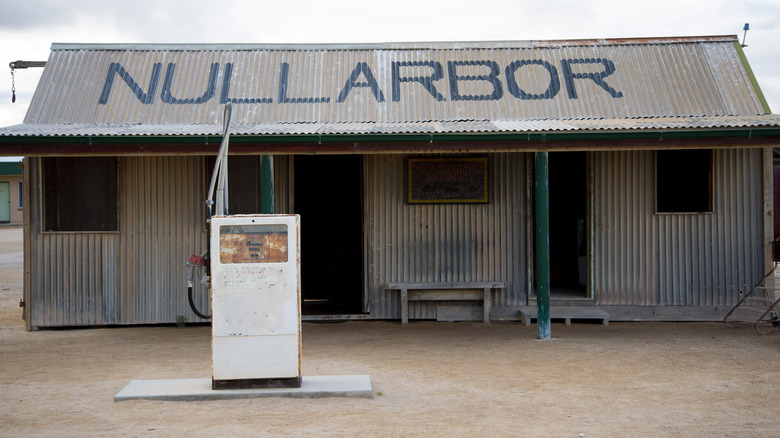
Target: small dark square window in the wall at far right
[[683, 181]]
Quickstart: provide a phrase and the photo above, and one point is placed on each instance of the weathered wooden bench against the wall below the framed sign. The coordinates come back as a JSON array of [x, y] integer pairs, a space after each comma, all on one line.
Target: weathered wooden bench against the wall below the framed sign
[[455, 291]]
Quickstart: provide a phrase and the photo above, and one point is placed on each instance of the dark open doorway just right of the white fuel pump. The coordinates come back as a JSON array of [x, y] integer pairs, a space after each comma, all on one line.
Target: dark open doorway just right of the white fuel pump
[[328, 196]]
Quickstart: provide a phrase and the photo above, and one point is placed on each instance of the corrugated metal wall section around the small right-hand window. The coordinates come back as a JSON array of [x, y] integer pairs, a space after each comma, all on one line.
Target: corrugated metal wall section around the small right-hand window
[[643, 258]]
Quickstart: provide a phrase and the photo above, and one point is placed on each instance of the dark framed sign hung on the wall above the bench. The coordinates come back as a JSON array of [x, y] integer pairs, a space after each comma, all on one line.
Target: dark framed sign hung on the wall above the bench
[[447, 180]]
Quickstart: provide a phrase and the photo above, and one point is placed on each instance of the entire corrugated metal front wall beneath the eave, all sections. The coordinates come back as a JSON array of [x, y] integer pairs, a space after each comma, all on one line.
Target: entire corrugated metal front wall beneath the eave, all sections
[[137, 275]]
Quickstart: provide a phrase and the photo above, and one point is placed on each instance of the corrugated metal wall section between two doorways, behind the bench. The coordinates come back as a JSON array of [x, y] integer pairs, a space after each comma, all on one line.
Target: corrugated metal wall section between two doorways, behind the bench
[[444, 242]]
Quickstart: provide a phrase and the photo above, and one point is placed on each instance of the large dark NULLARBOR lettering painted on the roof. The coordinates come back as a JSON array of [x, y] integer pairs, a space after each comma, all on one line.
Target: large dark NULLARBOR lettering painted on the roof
[[461, 85]]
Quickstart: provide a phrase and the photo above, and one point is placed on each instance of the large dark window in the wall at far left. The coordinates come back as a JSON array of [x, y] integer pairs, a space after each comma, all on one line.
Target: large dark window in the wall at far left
[[80, 194]]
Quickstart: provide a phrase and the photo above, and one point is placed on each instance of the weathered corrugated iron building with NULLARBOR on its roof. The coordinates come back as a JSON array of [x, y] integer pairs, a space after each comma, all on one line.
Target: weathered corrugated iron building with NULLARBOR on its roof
[[344, 124]]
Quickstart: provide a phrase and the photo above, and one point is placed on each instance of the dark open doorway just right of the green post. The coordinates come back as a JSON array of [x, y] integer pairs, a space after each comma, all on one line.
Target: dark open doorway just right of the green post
[[568, 228]]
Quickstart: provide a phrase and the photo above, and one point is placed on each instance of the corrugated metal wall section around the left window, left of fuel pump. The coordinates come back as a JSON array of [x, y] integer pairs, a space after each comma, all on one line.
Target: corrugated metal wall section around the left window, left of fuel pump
[[136, 275]]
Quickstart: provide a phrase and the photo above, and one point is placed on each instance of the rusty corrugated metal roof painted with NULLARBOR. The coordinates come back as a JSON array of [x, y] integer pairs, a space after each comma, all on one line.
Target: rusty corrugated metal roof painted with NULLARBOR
[[531, 86]]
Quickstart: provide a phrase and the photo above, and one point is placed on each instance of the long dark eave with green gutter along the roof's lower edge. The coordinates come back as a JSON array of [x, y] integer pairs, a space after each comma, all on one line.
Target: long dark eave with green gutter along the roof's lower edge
[[390, 143]]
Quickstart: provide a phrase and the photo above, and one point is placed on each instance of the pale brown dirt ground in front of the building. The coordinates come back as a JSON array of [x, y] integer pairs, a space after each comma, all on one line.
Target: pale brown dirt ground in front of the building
[[429, 379]]
